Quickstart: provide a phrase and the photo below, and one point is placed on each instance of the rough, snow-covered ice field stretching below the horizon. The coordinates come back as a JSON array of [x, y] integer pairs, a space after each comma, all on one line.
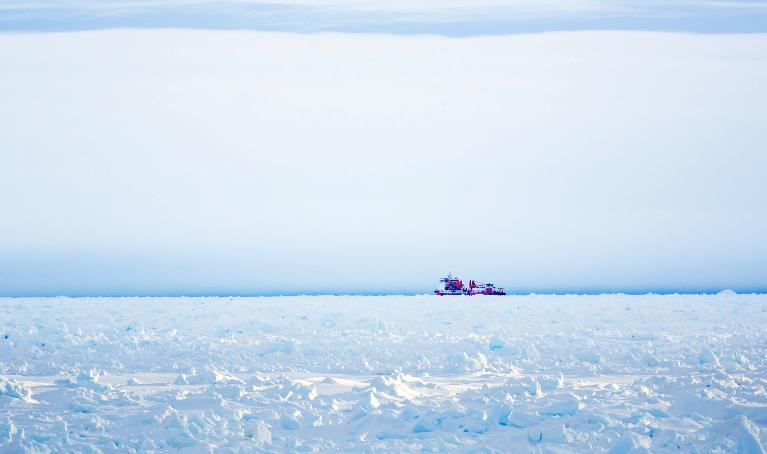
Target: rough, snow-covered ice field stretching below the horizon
[[533, 373]]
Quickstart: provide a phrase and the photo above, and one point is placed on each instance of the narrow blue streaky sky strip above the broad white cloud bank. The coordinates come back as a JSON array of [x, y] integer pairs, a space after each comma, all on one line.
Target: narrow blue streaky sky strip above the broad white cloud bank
[[447, 17]]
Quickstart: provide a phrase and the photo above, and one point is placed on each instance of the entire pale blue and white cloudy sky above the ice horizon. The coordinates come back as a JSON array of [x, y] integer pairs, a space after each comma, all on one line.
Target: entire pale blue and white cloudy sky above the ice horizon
[[198, 161]]
